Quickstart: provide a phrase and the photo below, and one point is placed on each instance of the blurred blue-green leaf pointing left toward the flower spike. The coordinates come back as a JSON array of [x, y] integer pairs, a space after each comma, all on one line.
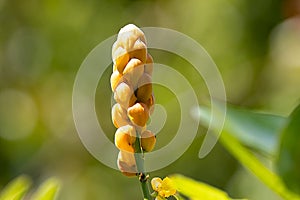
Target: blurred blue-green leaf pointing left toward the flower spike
[[259, 131]]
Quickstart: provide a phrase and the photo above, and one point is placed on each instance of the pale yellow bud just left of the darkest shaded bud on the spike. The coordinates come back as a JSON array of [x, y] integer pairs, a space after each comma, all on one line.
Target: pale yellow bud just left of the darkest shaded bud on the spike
[[123, 95]]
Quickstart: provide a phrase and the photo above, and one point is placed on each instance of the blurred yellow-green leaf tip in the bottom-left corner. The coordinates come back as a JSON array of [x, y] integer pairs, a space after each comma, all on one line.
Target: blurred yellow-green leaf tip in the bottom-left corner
[[16, 189]]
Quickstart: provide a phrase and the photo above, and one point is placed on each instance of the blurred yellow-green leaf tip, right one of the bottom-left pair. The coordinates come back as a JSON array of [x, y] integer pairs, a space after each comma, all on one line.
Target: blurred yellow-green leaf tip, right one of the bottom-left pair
[[48, 190]]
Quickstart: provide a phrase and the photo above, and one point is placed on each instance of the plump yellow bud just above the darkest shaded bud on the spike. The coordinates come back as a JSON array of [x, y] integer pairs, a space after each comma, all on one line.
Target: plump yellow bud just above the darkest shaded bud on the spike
[[133, 71]]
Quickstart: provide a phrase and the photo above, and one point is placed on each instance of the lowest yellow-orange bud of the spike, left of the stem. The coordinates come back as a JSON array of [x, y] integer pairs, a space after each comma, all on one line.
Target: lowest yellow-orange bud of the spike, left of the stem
[[126, 163]]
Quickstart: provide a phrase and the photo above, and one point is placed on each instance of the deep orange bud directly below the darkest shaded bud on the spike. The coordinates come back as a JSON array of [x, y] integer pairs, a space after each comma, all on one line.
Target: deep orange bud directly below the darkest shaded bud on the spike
[[138, 114]]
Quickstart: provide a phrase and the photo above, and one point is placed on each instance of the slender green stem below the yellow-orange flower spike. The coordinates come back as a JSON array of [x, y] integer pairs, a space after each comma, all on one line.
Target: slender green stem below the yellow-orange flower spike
[[139, 159]]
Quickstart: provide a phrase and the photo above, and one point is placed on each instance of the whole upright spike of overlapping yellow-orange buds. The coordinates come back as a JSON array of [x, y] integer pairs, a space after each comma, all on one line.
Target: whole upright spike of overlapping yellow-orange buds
[[131, 82]]
